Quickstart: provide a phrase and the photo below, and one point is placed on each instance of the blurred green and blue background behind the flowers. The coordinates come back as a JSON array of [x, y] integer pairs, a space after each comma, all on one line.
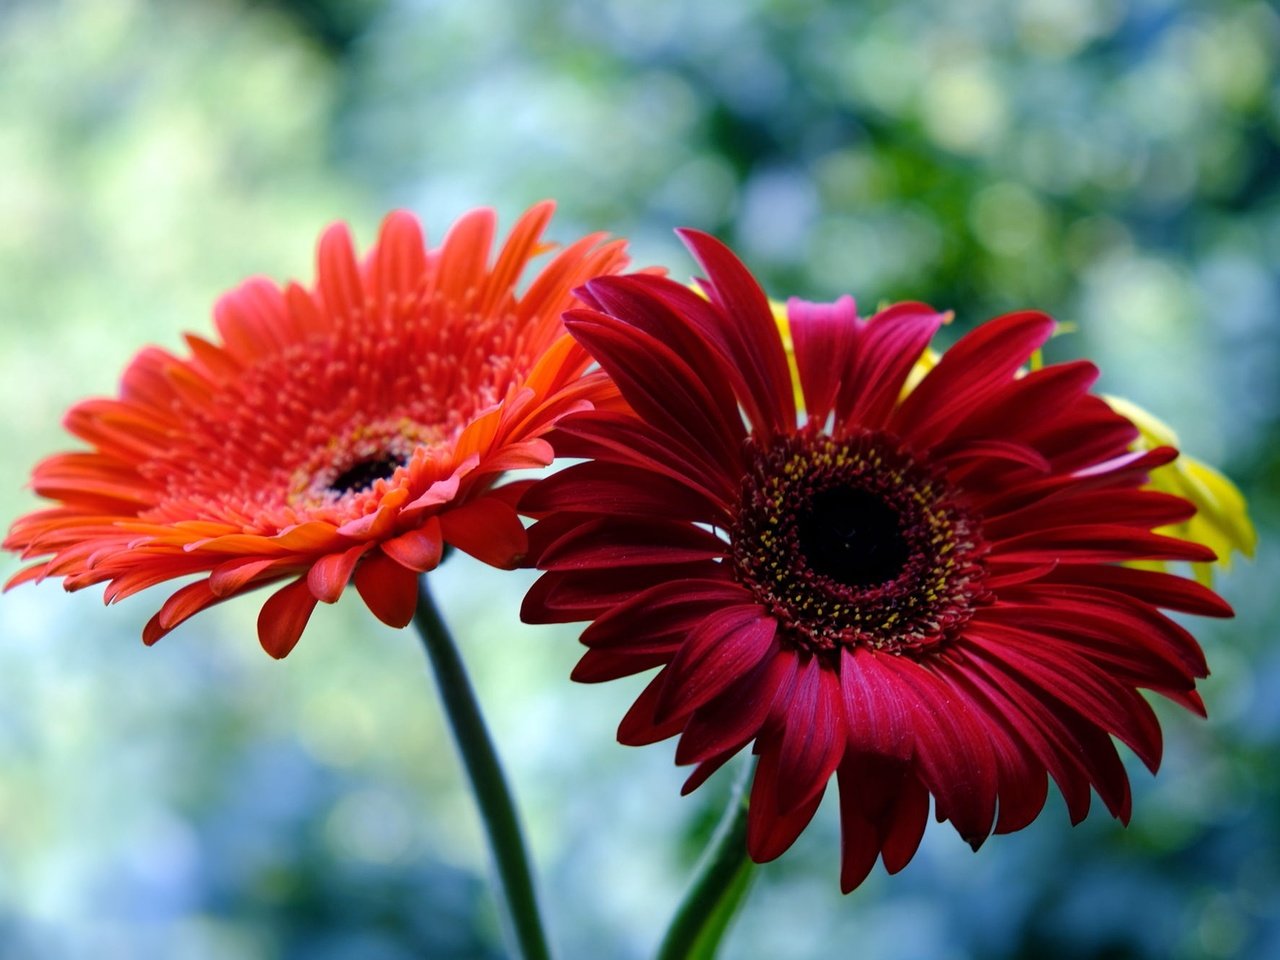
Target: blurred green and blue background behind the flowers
[[1114, 162]]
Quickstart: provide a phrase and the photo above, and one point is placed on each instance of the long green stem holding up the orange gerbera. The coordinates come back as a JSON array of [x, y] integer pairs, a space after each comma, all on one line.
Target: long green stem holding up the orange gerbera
[[488, 784]]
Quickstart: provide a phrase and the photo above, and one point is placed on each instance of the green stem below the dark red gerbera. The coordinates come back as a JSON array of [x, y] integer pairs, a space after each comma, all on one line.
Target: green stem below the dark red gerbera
[[720, 886]]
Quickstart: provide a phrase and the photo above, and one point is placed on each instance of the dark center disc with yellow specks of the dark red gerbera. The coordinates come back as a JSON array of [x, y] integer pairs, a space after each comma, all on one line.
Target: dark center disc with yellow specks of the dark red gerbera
[[856, 542]]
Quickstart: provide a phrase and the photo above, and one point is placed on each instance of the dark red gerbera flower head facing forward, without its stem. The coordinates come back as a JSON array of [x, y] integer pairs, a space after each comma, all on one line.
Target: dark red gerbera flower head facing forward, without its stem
[[921, 595]]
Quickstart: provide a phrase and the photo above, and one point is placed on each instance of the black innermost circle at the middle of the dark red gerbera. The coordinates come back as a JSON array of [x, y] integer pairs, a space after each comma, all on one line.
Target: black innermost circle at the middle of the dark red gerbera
[[853, 537]]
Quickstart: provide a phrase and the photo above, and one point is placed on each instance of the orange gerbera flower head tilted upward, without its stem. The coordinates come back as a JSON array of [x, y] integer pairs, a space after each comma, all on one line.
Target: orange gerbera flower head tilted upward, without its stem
[[344, 433]]
